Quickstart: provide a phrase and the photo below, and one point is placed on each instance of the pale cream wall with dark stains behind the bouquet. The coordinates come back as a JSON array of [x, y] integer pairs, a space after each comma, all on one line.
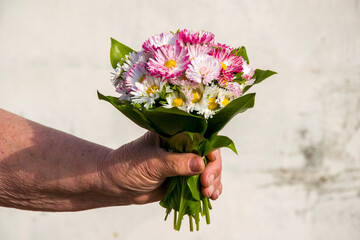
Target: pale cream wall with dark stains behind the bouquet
[[298, 172]]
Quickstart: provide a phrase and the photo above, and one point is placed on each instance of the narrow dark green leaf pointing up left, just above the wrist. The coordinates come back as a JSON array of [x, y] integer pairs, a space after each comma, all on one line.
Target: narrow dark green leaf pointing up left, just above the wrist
[[128, 110]]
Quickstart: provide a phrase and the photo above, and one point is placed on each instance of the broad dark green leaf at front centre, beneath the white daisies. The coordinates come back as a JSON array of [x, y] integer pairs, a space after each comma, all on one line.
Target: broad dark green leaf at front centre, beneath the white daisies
[[170, 121]]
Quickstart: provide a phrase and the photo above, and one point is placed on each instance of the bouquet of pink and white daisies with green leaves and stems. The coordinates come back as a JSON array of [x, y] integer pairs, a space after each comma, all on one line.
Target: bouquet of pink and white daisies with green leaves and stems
[[185, 87]]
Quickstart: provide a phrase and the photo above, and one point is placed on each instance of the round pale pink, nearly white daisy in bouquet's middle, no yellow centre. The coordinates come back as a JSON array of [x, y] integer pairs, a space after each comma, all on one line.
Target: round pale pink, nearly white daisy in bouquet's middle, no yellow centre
[[203, 69]]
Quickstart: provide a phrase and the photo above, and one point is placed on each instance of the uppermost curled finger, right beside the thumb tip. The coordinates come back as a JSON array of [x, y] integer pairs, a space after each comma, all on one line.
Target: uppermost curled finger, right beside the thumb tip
[[212, 170]]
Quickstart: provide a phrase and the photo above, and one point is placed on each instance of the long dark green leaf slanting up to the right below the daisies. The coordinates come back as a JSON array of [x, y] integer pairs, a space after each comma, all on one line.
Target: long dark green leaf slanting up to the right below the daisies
[[222, 117]]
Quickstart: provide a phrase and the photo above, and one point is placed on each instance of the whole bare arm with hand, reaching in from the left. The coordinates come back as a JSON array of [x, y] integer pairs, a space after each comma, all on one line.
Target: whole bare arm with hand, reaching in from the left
[[49, 170]]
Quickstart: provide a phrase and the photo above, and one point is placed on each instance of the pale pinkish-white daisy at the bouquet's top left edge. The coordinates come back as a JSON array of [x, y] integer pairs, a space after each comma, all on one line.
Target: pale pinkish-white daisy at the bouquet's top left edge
[[159, 40]]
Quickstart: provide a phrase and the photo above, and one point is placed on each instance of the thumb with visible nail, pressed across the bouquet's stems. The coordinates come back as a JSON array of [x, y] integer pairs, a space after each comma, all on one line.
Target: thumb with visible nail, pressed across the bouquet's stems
[[182, 164]]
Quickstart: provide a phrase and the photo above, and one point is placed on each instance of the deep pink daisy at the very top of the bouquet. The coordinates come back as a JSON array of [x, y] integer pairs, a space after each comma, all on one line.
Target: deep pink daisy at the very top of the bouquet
[[202, 37]]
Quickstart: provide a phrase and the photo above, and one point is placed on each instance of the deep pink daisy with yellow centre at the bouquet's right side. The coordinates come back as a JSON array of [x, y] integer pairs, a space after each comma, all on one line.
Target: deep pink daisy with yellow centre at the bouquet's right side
[[229, 62]]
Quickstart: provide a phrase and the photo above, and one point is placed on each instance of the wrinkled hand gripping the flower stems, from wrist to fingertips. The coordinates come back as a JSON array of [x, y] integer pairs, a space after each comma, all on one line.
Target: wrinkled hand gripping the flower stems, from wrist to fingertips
[[137, 171]]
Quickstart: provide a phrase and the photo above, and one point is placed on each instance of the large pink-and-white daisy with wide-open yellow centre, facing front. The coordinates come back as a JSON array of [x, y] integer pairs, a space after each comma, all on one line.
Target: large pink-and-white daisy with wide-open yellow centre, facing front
[[168, 61]]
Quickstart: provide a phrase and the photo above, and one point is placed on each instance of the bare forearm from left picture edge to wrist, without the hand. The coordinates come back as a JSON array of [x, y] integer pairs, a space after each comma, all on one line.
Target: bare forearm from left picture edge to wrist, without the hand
[[45, 169]]
